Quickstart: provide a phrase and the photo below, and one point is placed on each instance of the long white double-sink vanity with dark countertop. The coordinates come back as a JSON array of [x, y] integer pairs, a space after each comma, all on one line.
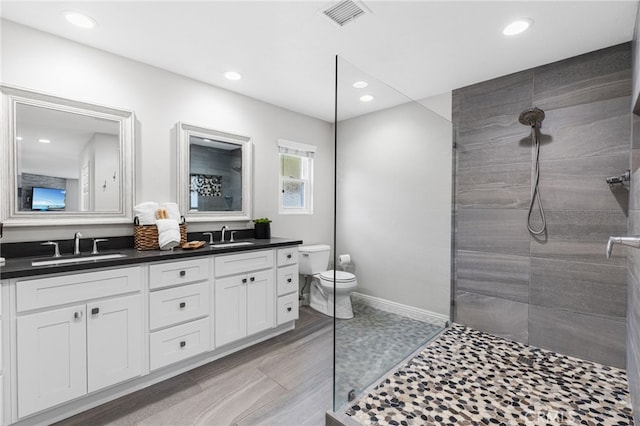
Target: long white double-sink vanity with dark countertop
[[77, 335]]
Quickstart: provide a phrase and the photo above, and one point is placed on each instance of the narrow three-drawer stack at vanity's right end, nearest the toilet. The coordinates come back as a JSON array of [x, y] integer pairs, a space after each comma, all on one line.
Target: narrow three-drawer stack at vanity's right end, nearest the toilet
[[288, 278]]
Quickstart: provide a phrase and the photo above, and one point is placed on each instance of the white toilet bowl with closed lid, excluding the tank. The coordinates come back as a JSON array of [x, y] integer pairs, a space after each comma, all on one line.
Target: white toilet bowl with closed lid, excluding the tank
[[323, 295]]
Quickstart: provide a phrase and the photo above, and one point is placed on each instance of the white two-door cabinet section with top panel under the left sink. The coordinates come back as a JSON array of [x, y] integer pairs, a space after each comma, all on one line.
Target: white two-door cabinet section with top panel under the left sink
[[76, 334]]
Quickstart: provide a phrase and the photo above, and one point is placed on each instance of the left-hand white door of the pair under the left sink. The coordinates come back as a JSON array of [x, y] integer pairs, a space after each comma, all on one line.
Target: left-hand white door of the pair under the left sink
[[52, 363]]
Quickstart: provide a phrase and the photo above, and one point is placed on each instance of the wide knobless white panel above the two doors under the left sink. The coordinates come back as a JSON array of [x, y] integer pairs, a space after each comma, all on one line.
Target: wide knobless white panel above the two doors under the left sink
[[60, 290]]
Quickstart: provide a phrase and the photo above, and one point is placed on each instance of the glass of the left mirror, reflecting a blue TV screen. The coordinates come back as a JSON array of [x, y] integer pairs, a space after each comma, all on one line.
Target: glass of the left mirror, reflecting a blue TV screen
[[66, 161]]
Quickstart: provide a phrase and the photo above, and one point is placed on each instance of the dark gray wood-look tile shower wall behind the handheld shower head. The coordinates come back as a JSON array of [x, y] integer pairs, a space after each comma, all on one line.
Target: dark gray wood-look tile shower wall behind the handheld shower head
[[558, 292]]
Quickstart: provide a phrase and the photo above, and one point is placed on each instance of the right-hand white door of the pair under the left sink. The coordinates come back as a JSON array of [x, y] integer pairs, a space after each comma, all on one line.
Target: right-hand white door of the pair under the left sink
[[114, 341]]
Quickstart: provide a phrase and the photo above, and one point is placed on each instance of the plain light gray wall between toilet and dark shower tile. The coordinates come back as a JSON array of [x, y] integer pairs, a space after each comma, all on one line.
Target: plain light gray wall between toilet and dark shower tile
[[394, 205]]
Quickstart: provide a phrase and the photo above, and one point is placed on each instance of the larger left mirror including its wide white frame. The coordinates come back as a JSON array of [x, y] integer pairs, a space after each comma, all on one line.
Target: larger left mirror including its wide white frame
[[65, 162]]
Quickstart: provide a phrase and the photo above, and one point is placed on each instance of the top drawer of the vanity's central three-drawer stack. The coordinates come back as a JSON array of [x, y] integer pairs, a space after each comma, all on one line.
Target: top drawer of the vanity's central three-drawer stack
[[182, 272]]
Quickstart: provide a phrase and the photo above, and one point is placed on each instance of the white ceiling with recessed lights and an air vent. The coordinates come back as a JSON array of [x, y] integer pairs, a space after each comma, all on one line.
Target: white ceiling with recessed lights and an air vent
[[286, 49]]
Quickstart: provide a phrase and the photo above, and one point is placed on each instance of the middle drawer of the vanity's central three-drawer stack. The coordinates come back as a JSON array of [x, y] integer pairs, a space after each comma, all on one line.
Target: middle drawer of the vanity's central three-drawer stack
[[178, 304]]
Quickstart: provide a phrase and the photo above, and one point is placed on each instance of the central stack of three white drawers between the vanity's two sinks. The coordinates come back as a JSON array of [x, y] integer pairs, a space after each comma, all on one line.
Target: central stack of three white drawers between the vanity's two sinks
[[178, 311]]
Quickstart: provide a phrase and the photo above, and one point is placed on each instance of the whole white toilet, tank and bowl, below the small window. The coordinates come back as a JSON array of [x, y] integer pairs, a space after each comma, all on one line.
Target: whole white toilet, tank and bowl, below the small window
[[313, 262]]
